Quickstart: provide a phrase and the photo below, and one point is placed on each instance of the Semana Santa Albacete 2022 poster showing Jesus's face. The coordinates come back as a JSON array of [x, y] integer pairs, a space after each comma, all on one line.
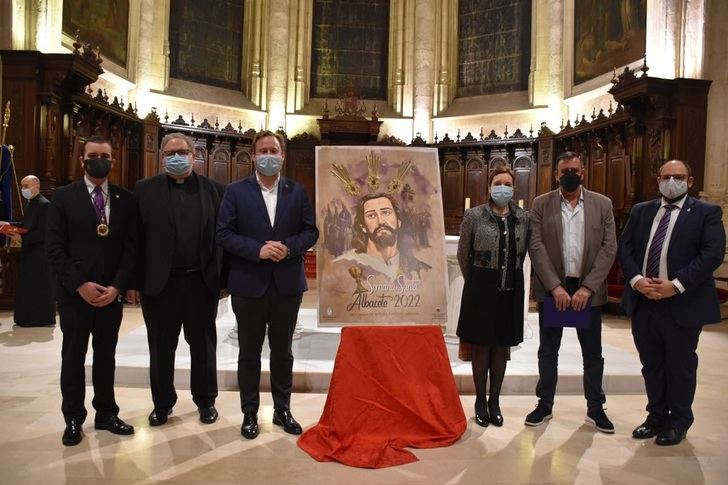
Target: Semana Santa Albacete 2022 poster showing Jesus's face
[[381, 254]]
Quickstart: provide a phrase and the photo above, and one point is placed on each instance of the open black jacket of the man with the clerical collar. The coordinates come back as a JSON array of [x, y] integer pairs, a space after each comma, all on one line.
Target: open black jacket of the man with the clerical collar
[[157, 233]]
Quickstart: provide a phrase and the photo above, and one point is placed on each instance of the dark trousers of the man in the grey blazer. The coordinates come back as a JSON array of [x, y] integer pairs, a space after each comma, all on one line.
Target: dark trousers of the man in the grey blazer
[[590, 340]]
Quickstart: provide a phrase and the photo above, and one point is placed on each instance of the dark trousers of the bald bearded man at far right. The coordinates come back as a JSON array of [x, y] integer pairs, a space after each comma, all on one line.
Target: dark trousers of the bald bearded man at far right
[[669, 363]]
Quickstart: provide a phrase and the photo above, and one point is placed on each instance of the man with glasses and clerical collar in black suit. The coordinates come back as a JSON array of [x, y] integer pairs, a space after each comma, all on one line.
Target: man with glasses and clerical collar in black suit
[[180, 269]]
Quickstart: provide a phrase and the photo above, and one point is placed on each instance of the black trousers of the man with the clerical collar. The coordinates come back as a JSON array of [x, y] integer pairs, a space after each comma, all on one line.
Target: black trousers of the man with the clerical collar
[[185, 303]]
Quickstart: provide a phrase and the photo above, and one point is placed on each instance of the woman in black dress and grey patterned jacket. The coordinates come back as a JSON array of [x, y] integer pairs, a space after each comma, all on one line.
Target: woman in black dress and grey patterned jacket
[[491, 250]]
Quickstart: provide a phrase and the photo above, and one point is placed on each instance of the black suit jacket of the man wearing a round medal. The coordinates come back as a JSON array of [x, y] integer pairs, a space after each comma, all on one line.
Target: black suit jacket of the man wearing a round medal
[[77, 254]]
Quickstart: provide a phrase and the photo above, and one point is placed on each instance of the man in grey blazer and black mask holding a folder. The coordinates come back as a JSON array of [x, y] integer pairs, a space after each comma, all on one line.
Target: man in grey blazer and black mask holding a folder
[[572, 248]]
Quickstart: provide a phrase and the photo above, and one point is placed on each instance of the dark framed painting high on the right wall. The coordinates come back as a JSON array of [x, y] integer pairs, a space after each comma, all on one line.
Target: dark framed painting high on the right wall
[[607, 35]]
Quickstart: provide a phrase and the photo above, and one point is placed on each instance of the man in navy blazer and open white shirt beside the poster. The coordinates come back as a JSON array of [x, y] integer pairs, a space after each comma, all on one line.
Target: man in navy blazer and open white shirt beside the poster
[[266, 225]]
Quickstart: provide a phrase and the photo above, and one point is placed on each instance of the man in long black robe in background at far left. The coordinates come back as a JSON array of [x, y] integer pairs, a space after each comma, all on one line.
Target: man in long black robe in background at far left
[[35, 304]]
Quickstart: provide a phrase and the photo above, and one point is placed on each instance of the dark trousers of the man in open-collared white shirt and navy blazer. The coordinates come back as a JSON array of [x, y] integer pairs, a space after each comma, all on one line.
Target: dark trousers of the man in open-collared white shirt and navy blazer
[[279, 314]]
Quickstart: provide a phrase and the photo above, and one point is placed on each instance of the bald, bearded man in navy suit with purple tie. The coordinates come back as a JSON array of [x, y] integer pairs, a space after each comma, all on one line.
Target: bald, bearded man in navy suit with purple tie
[[668, 252]]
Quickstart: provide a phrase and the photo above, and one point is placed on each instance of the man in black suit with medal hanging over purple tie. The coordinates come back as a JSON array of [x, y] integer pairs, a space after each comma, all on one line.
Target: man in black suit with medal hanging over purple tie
[[92, 244]]
